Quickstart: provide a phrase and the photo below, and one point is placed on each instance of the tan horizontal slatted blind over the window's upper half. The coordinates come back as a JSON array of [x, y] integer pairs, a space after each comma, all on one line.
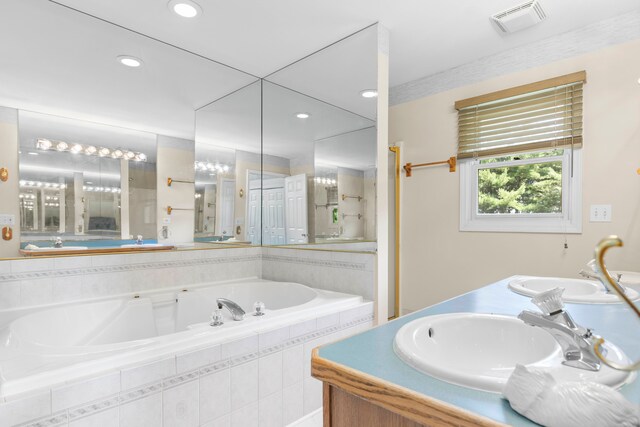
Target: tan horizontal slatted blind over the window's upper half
[[542, 115]]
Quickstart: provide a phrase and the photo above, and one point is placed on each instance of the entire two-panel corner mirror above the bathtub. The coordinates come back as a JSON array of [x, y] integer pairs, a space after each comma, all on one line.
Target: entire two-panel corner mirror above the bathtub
[[140, 138]]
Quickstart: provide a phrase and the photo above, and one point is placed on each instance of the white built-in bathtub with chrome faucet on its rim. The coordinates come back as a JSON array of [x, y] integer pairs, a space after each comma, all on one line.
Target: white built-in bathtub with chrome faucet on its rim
[[49, 345]]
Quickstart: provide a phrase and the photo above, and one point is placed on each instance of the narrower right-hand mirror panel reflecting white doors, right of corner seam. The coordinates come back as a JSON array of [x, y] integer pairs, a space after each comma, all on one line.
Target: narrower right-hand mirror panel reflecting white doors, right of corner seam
[[320, 126]]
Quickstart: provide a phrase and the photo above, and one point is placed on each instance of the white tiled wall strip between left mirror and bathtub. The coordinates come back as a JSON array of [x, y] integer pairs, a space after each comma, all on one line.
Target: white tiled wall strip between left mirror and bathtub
[[28, 282]]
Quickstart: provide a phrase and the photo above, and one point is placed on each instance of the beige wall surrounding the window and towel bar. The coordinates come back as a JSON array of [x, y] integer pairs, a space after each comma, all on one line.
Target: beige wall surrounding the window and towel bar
[[438, 261]]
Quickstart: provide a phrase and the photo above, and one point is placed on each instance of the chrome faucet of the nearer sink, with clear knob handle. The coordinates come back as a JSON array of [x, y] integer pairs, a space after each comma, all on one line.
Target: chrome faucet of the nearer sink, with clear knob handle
[[576, 341]]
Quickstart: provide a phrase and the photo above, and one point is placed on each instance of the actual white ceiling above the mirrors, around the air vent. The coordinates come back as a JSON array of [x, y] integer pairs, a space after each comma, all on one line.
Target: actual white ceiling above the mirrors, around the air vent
[[426, 36]]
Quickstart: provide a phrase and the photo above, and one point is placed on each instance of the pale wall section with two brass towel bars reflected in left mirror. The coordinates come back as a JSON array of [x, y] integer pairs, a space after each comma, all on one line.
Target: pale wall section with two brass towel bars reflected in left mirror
[[175, 159]]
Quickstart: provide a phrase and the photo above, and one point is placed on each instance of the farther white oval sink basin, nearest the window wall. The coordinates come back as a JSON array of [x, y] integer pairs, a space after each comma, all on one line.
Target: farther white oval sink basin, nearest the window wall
[[575, 290]]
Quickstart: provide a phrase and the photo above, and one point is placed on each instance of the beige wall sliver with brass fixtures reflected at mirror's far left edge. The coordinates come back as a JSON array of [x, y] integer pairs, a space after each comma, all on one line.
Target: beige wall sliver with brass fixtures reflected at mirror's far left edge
[[9, 190]]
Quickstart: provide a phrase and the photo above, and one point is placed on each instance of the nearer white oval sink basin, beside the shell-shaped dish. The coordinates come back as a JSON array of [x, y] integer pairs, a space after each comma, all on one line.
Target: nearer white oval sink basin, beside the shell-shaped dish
[[480, 351]]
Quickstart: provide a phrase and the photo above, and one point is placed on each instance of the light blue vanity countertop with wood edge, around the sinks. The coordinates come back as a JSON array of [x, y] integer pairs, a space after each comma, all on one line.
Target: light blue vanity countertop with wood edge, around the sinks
[[371, 352]]
